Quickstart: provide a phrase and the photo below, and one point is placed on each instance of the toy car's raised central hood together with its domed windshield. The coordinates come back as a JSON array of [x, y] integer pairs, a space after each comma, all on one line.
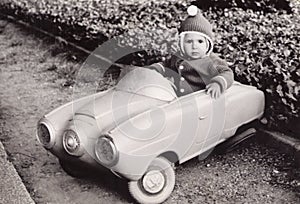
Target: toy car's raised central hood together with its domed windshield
[[138, 91]]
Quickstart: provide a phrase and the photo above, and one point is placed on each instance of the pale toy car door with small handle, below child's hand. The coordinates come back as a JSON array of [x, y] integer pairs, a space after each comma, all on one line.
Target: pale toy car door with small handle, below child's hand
[[206, 123]]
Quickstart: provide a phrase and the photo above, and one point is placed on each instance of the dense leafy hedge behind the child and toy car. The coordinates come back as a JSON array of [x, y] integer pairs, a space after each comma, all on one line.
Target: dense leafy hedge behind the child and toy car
[[259, 39]]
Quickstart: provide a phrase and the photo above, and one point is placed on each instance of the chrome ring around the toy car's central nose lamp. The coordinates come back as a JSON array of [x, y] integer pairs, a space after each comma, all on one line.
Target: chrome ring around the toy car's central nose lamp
[[77, 150]]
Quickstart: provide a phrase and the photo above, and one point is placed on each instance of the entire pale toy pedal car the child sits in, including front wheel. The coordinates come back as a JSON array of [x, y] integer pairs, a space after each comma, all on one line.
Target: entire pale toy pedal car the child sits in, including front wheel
[[139, 129]]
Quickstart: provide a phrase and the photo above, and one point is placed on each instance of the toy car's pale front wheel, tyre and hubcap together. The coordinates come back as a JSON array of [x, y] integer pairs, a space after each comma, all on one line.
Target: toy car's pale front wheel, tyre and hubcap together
[[156, 185]]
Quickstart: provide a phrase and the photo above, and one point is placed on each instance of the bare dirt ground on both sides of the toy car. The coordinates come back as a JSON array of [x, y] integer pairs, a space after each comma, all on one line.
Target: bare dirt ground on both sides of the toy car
[[30, 87]]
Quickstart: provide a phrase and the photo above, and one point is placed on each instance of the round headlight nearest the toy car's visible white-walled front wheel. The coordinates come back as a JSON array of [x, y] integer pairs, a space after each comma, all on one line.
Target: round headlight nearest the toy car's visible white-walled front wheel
[[106, 151]]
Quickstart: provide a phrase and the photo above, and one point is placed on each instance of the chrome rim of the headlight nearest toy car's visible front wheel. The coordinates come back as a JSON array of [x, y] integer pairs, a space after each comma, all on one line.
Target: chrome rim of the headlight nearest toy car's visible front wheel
[[115, 152]]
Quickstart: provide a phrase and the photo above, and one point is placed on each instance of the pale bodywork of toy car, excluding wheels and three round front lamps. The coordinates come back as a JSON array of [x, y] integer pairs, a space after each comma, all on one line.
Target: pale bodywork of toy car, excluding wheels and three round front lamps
[[146, 121]]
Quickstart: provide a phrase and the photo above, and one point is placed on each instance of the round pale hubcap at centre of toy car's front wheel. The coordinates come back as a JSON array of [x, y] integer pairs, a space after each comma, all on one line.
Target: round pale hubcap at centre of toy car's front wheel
[[153, 181]]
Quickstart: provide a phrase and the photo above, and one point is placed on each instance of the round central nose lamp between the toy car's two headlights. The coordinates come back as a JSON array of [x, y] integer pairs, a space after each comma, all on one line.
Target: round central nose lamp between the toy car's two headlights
[[71, 143]]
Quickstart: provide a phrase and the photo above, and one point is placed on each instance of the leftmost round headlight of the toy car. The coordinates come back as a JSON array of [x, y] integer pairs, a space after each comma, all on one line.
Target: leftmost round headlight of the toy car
[[45, 135]]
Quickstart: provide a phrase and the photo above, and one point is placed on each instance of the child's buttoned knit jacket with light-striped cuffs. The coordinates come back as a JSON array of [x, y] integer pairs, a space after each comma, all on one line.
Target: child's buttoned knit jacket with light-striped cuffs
[[194, 75]]
